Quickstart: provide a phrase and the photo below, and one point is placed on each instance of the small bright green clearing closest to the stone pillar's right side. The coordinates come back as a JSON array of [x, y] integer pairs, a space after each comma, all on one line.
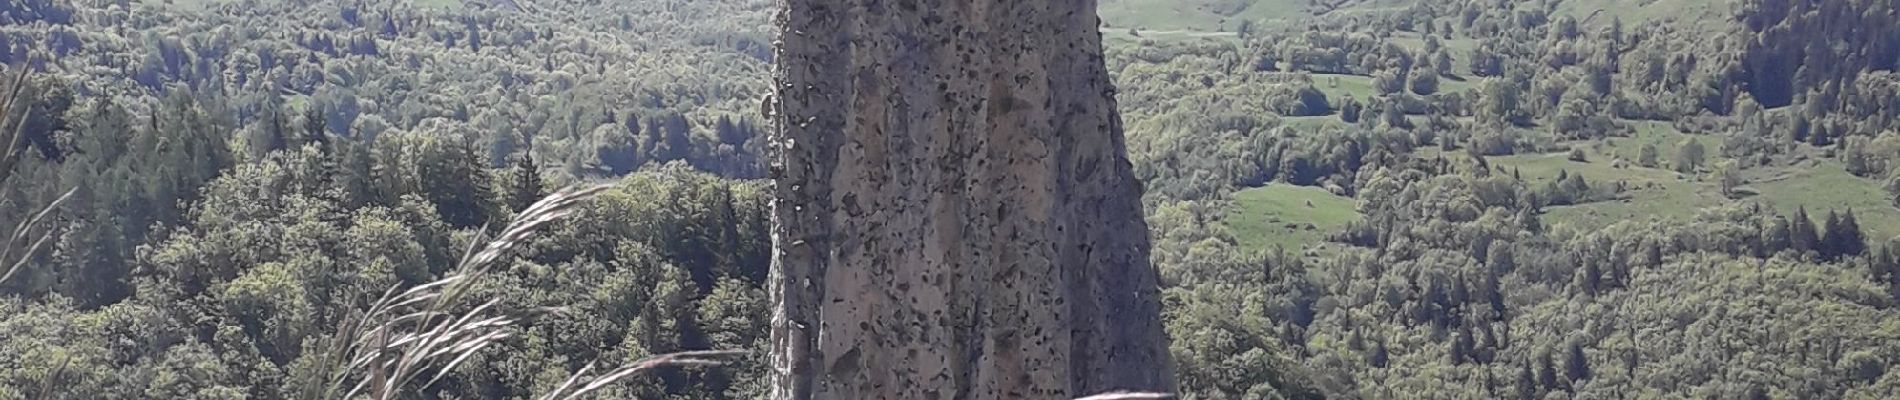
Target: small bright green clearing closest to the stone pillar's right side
[[1280, 217]]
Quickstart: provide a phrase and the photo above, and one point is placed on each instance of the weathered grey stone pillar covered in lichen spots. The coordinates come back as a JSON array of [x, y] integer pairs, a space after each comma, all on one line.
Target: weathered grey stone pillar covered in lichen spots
[[957, 215]]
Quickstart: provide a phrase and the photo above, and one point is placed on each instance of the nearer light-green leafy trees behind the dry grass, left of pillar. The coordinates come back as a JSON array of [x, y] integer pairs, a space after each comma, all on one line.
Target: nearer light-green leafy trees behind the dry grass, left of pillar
[[248, 297]]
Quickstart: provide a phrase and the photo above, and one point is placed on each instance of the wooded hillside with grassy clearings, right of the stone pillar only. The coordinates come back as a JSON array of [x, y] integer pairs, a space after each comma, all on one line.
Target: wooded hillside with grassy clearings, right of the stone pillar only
[[1529, 200]]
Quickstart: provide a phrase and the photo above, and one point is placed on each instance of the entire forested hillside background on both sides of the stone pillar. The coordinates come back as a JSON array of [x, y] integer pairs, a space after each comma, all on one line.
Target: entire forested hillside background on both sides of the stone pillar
[[1348, 198]]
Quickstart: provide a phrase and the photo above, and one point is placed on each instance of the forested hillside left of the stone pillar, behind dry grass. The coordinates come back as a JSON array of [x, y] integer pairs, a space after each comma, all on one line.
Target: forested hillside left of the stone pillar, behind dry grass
[[250, 175]]
